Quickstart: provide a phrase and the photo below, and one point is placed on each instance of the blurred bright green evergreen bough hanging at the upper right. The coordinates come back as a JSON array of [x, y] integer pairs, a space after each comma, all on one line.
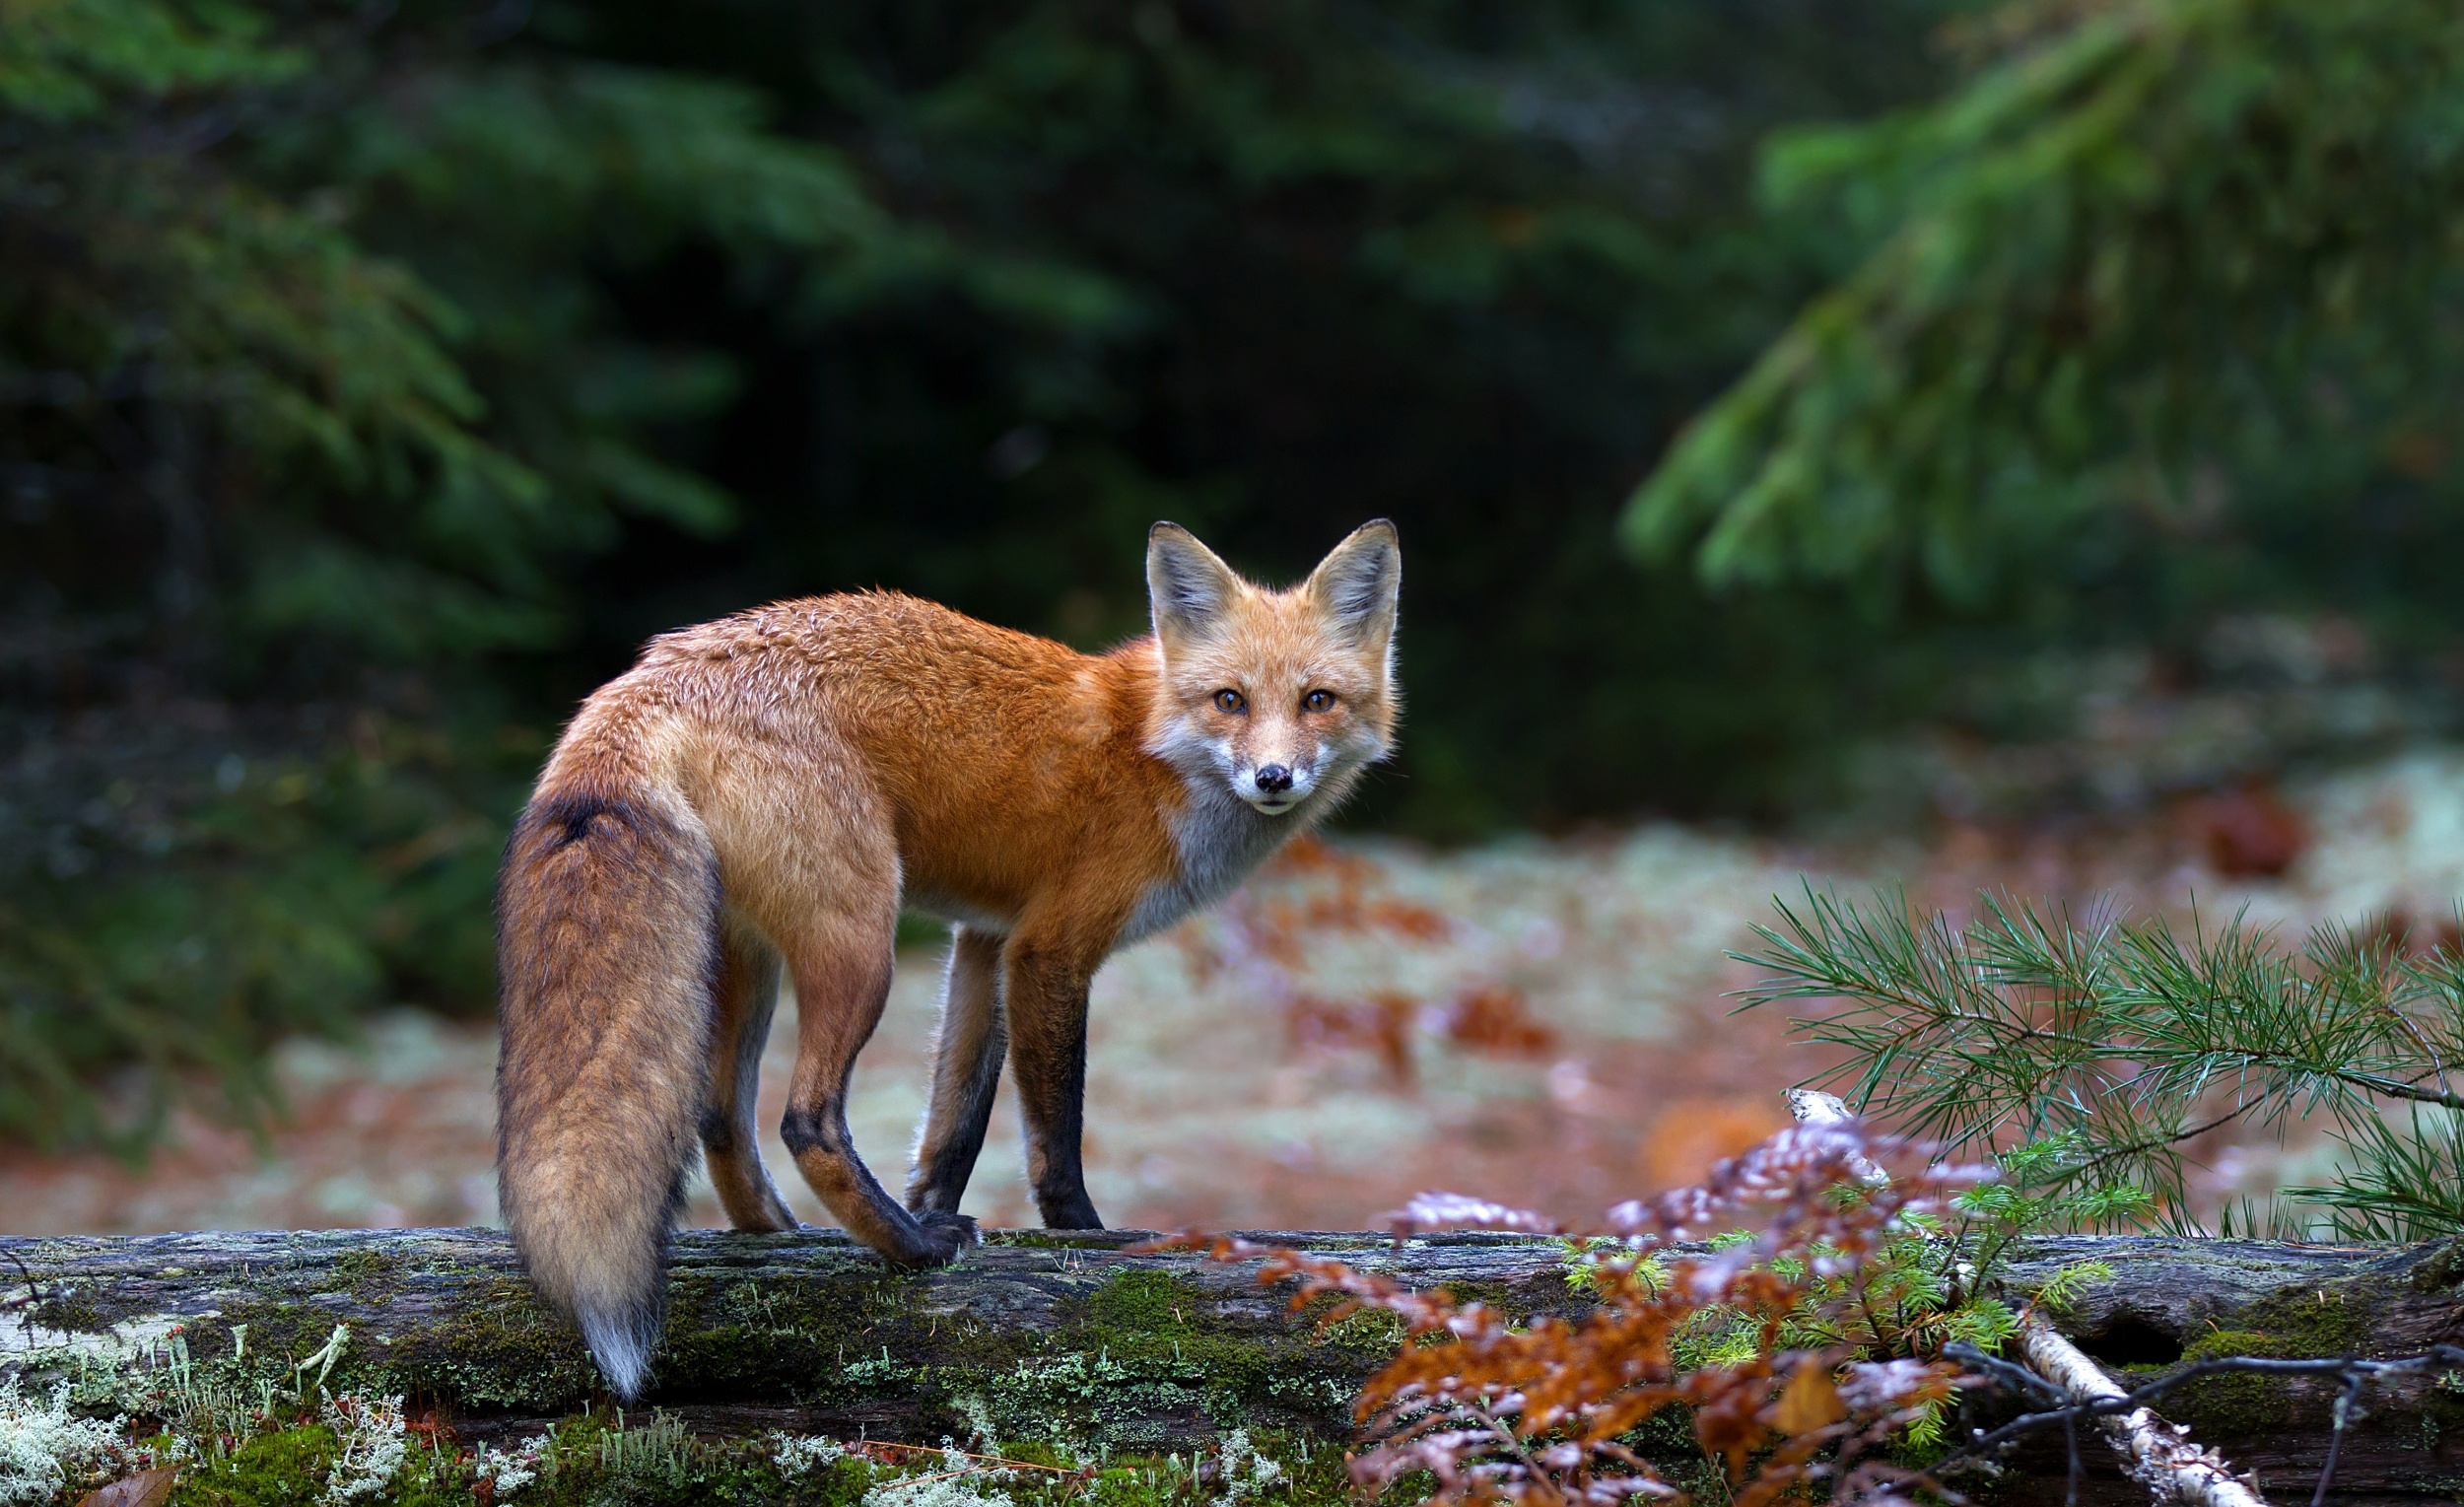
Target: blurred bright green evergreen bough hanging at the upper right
[[2157, 314]]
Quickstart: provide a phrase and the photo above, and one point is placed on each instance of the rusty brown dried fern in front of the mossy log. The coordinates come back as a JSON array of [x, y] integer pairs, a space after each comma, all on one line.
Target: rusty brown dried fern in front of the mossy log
[[1546, 1412]]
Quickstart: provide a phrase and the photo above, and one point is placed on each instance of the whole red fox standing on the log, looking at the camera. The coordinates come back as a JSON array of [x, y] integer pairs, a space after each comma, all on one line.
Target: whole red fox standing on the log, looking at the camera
[[768, 792]]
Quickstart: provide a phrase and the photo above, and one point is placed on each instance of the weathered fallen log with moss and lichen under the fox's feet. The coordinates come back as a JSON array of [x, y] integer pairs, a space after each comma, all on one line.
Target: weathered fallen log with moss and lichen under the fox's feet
[[1073, 1336]]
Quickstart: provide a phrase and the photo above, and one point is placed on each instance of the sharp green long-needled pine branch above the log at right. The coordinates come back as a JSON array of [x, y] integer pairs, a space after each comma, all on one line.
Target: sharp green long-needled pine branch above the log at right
[[2091, 1055]]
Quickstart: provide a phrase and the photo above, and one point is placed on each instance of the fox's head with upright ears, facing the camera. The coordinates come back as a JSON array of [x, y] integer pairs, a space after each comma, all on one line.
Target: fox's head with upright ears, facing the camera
[[1283, 696]]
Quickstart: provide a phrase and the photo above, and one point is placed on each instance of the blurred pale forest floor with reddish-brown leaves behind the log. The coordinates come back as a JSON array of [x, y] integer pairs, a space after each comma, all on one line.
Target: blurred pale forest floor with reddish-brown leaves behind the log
[[1541, 1023]]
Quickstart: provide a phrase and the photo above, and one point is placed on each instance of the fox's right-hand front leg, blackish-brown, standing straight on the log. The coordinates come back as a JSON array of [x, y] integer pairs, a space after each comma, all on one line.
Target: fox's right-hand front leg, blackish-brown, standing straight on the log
[[1046, 994]]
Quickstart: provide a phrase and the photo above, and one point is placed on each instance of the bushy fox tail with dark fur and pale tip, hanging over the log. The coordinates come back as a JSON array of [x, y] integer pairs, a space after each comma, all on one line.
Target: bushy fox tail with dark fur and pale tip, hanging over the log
[[607, 944]]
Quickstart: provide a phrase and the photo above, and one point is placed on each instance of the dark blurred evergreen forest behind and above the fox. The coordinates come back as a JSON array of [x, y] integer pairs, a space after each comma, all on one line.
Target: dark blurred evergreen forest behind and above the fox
[[376, 378]]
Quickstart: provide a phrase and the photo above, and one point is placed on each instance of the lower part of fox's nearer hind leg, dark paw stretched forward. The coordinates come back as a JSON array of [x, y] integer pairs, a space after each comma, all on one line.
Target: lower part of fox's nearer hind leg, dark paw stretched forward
[[841, 969]]
